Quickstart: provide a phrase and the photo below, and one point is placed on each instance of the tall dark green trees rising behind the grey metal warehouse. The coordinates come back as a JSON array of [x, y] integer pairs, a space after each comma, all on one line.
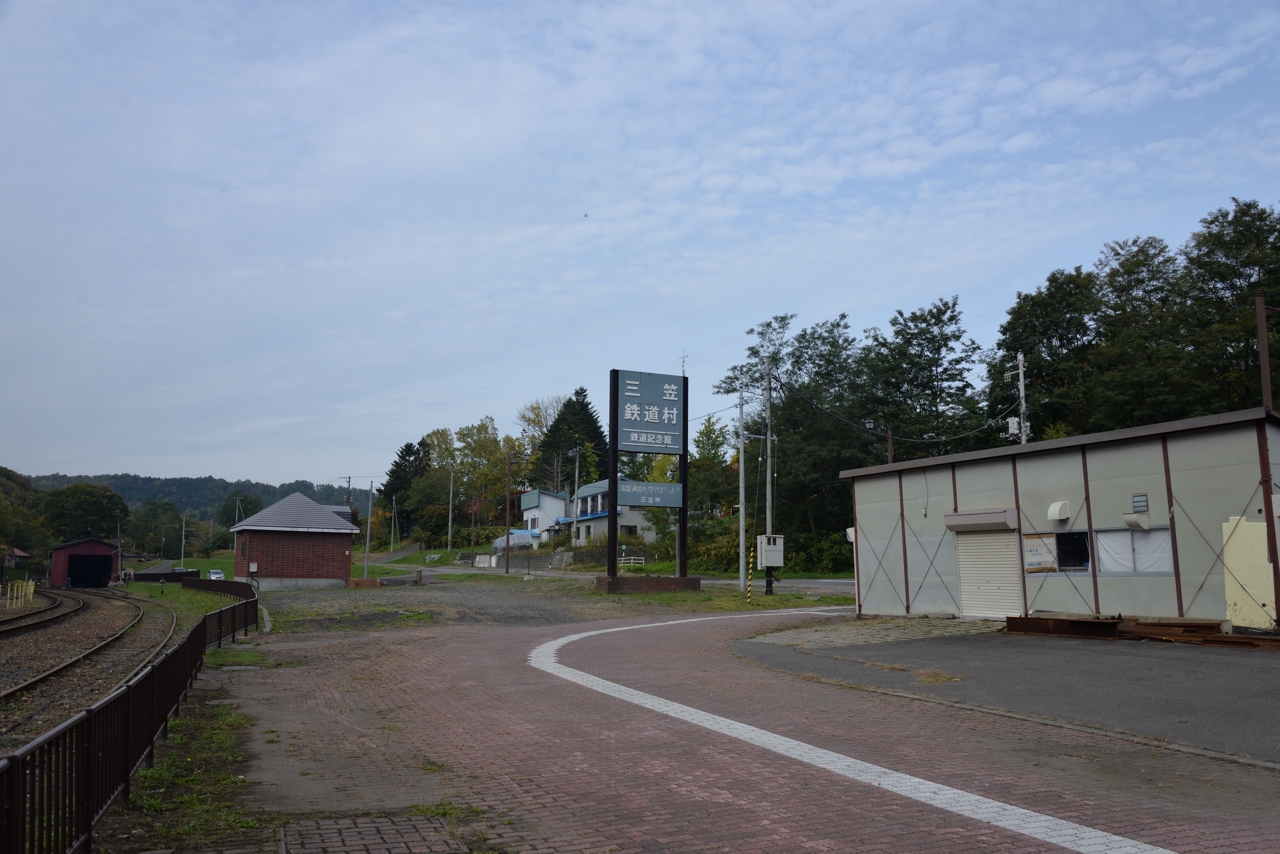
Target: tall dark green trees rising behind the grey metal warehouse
[[1146, 335]]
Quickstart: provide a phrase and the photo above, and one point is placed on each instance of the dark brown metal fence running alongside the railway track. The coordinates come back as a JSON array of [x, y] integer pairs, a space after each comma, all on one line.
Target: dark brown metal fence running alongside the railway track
[[53, 789]]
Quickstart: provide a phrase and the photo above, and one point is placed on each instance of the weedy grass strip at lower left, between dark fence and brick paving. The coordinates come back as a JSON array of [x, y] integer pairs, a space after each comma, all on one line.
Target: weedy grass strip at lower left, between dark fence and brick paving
[[188, 800]]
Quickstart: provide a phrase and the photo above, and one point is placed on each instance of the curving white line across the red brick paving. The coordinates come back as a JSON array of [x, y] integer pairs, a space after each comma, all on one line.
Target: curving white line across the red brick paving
[[1069, 835]]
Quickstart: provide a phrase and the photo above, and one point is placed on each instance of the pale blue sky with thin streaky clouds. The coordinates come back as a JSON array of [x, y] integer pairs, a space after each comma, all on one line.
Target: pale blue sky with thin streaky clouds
[[278, 240]]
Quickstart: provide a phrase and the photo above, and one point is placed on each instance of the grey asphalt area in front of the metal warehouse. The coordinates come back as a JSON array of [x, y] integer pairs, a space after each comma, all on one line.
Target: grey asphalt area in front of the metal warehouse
[[1215, 698]]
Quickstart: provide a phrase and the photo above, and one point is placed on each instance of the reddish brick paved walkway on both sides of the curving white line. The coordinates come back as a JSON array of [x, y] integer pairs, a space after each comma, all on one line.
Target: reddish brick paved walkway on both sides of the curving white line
[[557, 768]]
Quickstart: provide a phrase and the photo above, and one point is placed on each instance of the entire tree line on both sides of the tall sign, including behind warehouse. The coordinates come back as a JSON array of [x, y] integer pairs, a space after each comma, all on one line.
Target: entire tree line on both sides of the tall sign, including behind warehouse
[[1148, 334]]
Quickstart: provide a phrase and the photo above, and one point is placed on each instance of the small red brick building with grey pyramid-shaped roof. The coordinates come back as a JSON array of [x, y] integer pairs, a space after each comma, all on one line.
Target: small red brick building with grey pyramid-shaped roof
[[295, 545]]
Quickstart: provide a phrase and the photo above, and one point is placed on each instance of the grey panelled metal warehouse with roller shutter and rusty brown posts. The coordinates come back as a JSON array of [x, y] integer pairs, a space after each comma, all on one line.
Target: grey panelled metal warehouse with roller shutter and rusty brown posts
[[1168, 520]]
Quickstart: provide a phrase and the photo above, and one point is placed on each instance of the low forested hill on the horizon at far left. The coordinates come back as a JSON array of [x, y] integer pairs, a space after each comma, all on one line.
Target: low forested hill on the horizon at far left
[[200, 497]]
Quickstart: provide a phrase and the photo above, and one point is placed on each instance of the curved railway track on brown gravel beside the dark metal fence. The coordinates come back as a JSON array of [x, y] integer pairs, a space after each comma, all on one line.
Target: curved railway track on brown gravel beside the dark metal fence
[[109, 642]]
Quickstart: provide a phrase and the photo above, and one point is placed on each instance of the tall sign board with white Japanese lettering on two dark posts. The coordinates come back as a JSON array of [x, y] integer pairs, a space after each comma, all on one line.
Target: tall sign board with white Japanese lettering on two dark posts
[[648, 414]]
